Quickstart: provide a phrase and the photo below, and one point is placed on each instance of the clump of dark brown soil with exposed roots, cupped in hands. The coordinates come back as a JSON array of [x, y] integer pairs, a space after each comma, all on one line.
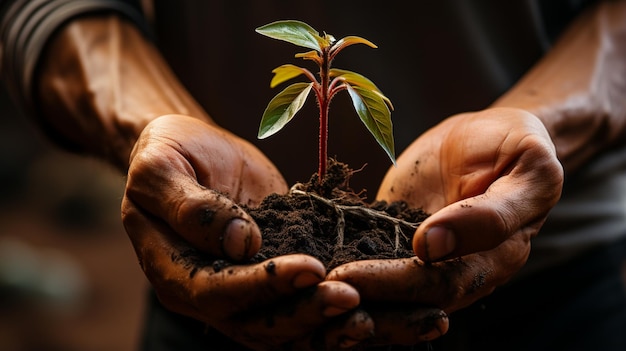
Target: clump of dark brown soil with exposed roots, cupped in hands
[[331, 222]]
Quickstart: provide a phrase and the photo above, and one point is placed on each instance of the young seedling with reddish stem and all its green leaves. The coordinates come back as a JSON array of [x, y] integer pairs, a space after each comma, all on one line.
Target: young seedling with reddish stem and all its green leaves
[[373, 108]]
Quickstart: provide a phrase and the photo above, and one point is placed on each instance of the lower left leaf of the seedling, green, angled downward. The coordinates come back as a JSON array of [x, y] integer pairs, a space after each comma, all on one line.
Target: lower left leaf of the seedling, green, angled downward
[[282, 108]]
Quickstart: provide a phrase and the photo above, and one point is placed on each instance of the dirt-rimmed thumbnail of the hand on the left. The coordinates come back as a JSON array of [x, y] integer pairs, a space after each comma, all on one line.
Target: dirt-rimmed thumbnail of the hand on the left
[[237, 240]]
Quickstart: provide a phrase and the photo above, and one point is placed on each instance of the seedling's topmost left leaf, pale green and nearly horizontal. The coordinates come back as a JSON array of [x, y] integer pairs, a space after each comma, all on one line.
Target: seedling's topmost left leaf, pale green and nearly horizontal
[[294, 32]]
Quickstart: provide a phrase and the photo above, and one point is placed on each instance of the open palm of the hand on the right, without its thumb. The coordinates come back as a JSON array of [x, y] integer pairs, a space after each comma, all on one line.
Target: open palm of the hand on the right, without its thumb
[[455, 161]]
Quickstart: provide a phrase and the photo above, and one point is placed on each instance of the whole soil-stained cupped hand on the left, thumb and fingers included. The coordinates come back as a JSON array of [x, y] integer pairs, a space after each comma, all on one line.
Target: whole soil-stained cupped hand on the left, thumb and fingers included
[[180, 210]]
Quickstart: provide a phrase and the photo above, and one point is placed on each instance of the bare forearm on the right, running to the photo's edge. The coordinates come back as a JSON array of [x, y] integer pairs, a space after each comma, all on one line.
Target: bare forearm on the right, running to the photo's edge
[[578, 89]]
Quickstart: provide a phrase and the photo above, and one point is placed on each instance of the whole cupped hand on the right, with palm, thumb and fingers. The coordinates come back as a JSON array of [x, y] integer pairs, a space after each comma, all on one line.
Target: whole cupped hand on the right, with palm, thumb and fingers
[[489, 180]]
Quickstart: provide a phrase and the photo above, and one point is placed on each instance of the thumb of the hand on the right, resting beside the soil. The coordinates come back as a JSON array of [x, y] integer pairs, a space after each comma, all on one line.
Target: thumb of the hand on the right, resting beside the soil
[[517, 201]]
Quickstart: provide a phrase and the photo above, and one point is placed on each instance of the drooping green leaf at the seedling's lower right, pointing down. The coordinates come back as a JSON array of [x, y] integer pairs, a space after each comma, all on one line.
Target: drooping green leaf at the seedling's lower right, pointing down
[[376, 116]]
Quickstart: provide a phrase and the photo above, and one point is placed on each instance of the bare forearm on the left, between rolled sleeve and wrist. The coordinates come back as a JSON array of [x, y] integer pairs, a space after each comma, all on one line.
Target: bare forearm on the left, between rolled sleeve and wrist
[[100, 82]]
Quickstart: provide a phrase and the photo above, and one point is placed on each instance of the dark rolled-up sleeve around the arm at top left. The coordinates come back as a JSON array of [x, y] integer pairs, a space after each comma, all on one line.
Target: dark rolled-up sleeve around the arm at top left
[[27, 25]]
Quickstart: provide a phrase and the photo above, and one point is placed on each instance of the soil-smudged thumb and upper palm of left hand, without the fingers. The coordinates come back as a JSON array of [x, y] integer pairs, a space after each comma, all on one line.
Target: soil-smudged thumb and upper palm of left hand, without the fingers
[[189, 174]]
